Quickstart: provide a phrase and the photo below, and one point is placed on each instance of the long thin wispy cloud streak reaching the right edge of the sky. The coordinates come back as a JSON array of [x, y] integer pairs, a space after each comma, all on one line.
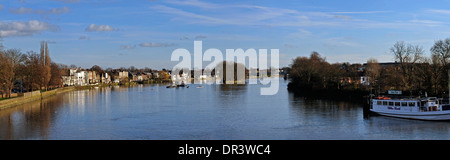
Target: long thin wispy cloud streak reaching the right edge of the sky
[[208, 13]]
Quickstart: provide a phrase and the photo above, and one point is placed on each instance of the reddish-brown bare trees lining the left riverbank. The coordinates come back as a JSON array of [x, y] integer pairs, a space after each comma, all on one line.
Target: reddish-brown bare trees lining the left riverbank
[[30, 71]]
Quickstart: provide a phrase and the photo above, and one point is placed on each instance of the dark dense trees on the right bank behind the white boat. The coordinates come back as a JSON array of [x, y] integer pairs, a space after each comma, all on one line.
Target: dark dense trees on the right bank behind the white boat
[[412, 72]]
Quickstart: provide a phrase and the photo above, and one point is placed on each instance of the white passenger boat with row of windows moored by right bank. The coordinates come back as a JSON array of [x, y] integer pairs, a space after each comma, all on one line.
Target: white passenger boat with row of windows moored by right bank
[[429, 108]]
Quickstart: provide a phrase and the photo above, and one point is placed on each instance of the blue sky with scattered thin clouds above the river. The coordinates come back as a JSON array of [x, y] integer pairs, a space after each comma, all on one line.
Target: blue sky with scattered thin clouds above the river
[[144, 33]]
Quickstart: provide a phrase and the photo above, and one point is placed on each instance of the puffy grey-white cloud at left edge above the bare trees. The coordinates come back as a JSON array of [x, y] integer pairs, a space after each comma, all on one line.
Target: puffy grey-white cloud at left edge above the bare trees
[[11, 29]]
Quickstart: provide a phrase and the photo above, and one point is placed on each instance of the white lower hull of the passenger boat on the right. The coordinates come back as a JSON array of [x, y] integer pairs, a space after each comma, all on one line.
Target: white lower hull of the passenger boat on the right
[[431, 116]]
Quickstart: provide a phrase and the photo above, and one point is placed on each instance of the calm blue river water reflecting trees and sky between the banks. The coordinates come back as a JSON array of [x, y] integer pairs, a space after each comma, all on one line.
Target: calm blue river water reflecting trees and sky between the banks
[[213, 112]]
